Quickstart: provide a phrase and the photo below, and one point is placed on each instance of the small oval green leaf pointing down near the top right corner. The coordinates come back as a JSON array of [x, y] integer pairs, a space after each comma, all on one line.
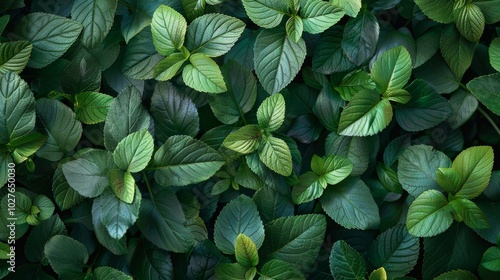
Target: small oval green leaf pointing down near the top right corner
[[469, 20]]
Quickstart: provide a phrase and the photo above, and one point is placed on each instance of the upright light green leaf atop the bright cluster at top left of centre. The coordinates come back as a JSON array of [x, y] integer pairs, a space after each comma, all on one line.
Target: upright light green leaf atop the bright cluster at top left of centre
[[168, 28]]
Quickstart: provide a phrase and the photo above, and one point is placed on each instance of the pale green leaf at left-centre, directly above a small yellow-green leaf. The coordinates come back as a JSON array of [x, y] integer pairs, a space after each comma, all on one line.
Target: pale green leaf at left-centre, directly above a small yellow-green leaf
[[133, 152]]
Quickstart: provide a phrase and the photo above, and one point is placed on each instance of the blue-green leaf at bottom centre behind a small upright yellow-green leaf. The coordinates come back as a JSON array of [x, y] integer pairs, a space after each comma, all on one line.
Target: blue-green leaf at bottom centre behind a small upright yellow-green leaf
[[239, 216]]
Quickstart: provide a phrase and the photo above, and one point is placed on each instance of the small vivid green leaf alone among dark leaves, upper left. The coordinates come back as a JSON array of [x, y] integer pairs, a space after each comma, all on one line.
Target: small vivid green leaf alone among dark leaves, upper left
[[92, 107]]
